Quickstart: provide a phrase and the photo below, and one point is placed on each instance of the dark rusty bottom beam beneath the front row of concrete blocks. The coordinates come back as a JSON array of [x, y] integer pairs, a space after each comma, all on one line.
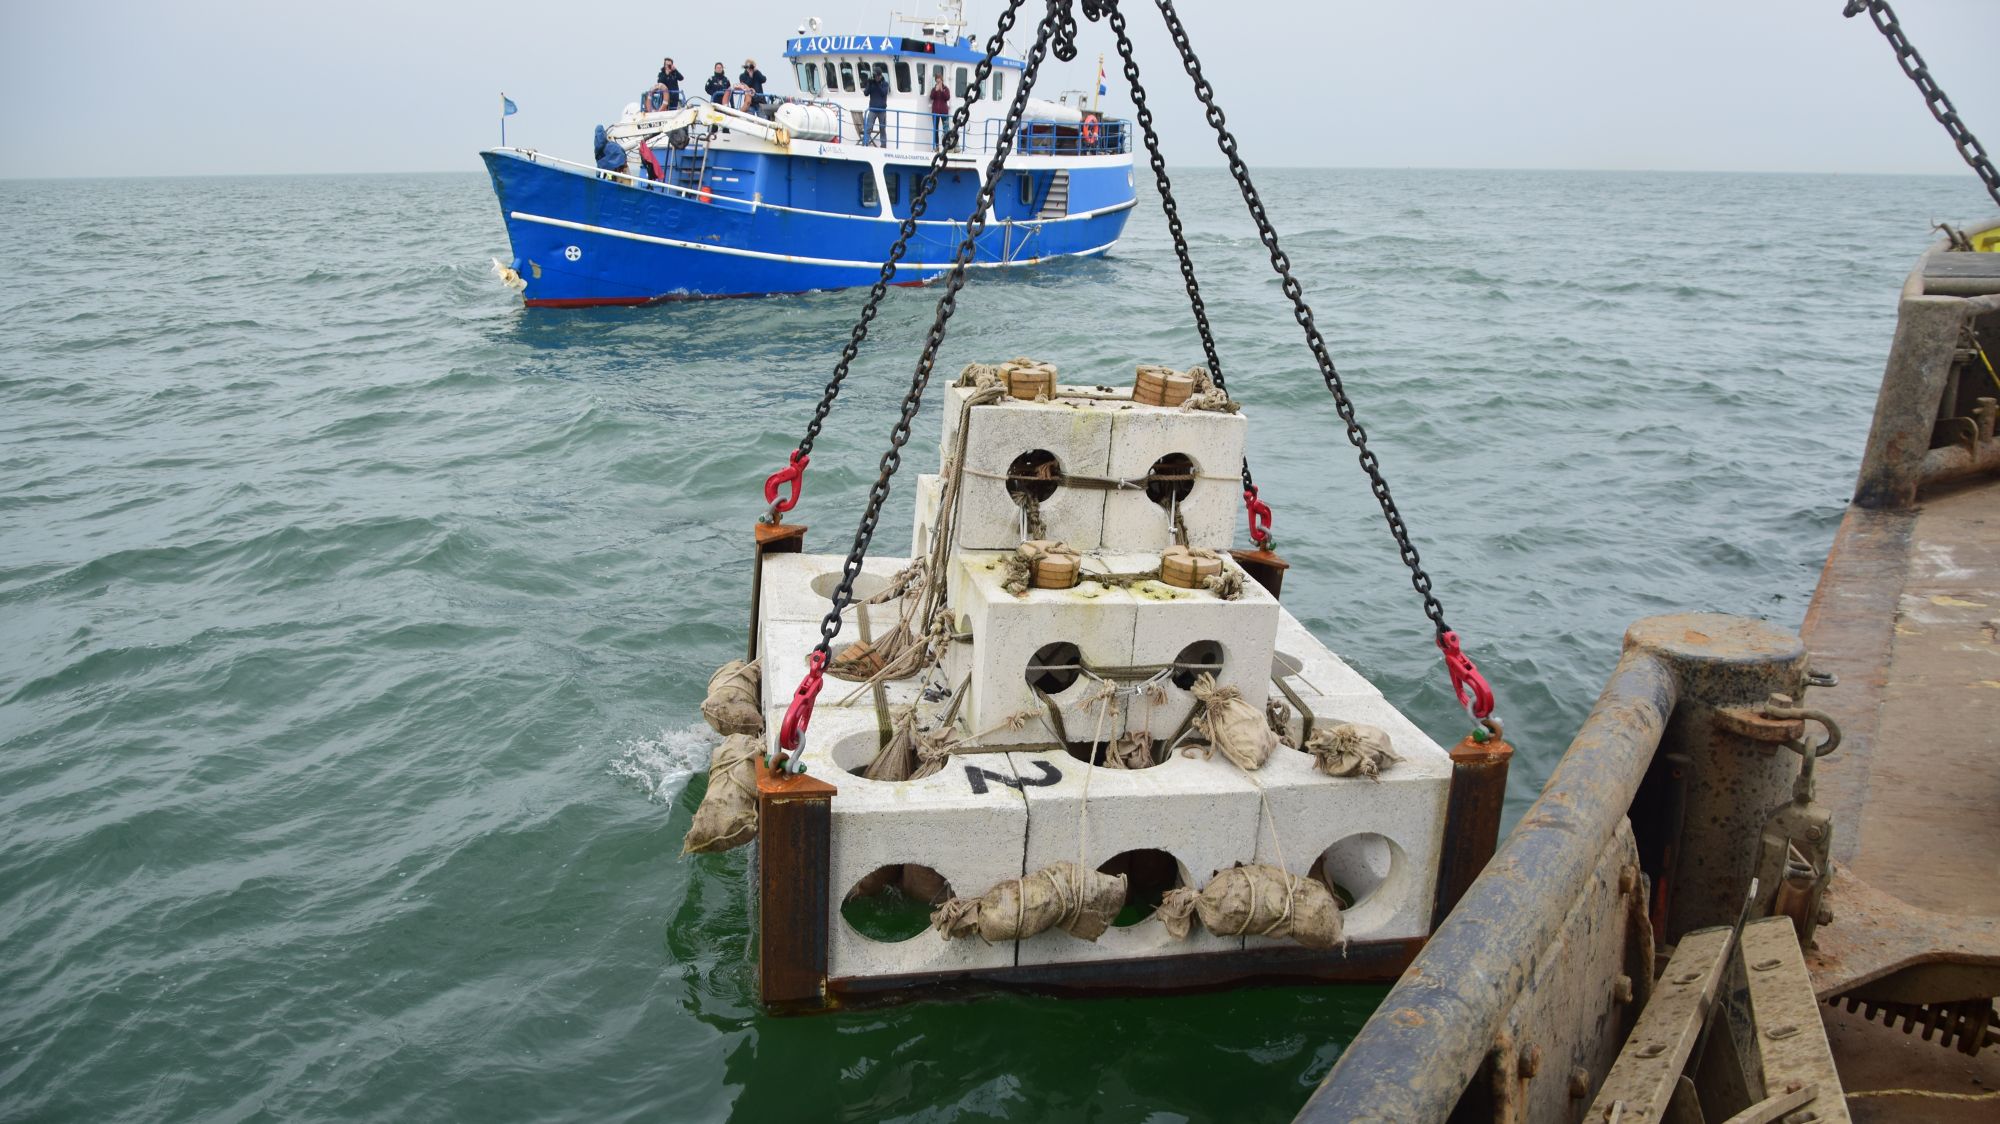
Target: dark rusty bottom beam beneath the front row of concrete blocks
[[1357, 965]]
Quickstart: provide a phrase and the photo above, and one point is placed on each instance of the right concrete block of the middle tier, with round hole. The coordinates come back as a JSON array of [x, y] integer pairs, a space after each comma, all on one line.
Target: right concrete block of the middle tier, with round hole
[[1171, 621]]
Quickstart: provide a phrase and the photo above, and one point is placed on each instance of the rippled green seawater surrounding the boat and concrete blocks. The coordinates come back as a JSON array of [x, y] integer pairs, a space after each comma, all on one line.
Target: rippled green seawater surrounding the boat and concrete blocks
[[353, 619]]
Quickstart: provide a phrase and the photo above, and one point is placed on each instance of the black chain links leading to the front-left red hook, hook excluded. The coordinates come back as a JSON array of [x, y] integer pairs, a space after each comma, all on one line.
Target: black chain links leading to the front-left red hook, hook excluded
[[947, 305]]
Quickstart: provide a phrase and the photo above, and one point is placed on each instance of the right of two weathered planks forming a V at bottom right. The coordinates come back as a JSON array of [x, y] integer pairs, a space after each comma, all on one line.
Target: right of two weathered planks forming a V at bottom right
[[1789, 1035]]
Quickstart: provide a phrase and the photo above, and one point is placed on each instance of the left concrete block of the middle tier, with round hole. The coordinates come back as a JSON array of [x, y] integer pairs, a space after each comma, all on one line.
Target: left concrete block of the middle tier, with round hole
[[1009, 631]]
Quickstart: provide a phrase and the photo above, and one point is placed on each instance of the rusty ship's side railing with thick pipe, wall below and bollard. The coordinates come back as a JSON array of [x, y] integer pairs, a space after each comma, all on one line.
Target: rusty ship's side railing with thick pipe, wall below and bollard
[[1547, 957]]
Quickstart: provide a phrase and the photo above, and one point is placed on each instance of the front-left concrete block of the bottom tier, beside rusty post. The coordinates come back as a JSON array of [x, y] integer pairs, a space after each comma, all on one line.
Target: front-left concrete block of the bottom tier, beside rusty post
[[971, 833]]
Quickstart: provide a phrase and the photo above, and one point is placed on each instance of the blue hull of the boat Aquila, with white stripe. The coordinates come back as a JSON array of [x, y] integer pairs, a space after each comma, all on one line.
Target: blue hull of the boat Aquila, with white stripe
[[587, 239]]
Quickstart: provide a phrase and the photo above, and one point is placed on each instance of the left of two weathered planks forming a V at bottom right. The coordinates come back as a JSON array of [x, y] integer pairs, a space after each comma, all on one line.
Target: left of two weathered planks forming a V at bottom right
[[1649, 1069]]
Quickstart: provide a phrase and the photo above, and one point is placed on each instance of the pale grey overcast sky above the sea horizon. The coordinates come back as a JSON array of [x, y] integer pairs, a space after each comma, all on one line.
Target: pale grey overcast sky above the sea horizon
[[215, 87]]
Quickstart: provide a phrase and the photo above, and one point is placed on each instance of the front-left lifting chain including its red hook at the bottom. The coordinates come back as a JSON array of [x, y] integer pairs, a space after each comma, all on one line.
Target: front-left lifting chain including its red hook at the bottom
[[791, 735]]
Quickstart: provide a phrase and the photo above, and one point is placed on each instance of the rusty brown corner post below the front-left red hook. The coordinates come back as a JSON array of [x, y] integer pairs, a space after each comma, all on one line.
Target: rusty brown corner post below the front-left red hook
[[795, 905]]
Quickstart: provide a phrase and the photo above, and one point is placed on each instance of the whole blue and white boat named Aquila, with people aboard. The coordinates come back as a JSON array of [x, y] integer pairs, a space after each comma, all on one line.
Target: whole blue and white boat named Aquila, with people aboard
[[753, 195]]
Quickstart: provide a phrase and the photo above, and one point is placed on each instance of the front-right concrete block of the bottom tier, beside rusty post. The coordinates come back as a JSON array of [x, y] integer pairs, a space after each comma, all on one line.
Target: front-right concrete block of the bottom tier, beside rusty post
[[1377, 839]]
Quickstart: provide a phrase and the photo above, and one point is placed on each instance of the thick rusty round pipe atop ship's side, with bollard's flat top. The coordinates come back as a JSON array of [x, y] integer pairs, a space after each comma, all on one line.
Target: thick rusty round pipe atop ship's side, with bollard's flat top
[[1441, 1021]]
